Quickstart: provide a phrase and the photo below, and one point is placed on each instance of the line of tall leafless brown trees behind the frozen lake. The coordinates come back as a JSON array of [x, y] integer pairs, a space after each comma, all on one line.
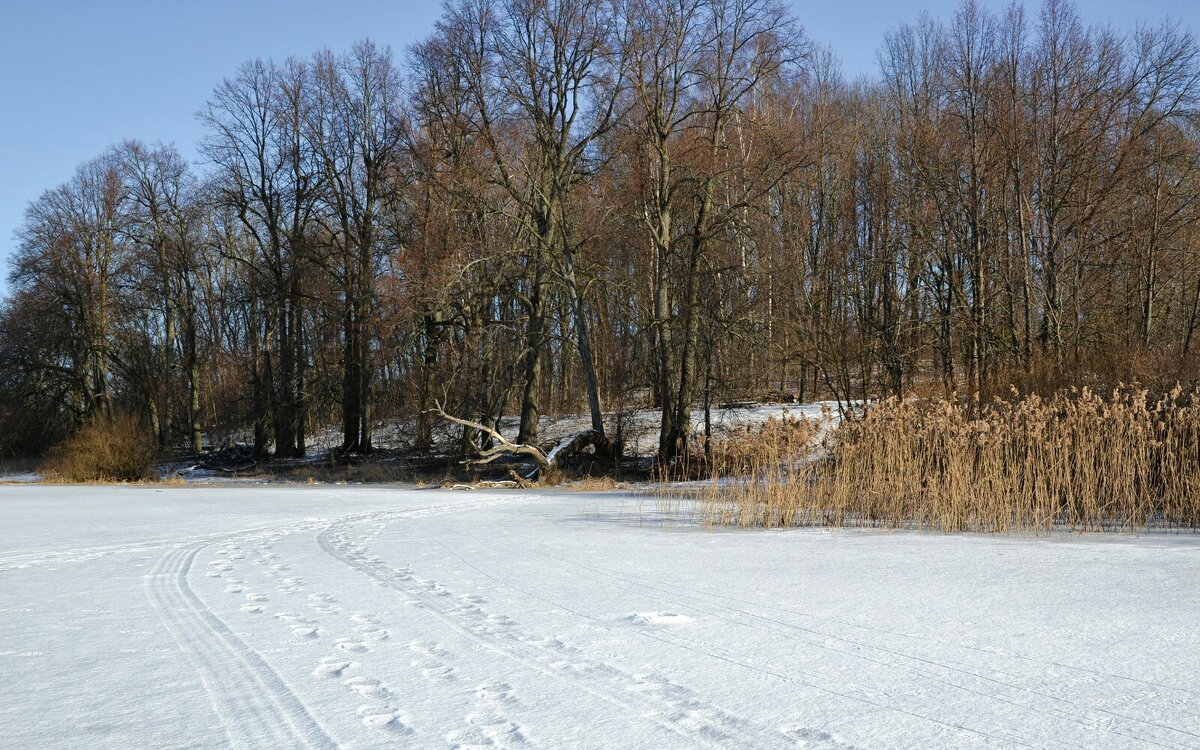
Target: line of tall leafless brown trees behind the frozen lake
[[597, 206]]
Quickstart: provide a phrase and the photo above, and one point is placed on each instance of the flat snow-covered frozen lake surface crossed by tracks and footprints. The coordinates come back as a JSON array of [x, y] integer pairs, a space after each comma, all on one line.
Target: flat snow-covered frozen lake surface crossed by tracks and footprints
[[291, 617]]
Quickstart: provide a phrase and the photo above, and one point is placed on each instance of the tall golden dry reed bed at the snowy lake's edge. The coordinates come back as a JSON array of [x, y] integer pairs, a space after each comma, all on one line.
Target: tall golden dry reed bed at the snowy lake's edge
[[1076, 460]]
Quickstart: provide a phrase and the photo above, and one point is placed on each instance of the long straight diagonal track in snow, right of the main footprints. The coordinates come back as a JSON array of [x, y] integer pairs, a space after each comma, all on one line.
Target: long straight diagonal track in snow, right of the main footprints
[[670, 707]]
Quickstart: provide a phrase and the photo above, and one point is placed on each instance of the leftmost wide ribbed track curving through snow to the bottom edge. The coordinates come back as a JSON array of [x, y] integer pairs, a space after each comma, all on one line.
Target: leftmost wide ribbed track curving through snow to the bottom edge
[[256, 709]]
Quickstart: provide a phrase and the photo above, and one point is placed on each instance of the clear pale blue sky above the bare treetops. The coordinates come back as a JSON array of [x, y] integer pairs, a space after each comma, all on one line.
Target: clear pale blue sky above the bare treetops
[[79, 76]]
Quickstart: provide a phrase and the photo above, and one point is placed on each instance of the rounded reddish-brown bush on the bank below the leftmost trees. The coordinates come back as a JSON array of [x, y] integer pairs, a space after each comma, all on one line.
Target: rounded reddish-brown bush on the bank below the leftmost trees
[[119, 449]]
